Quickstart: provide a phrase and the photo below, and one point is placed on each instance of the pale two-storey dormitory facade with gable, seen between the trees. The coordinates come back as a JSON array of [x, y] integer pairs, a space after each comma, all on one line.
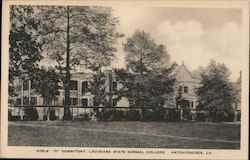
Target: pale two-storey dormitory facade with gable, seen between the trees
[[81, 100]]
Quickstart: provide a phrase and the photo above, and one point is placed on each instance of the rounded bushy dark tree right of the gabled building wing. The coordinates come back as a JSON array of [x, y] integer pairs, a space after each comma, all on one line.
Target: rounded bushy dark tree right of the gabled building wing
[[216, 93]]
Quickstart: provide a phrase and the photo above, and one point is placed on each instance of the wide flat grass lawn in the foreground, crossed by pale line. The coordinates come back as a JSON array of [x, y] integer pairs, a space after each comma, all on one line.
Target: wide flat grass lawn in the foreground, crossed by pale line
[[191, 135]]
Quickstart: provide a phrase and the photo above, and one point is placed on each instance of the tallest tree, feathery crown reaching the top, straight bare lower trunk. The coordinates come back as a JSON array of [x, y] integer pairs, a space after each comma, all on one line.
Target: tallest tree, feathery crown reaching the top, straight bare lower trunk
[[78, 36]]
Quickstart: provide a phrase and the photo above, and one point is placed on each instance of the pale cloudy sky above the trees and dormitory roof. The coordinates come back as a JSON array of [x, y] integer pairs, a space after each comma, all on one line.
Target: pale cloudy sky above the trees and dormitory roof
[[192, 35]]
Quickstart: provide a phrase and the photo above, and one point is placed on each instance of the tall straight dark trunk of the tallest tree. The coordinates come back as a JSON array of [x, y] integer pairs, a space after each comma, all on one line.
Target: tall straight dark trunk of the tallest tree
[[67, 115]]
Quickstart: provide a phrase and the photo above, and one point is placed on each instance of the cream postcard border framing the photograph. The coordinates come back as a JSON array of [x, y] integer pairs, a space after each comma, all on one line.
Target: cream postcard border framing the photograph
[[30, 152]]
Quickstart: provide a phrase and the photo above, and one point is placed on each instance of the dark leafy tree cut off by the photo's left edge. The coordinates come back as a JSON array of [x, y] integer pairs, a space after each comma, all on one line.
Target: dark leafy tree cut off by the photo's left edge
[[24, 47]]
